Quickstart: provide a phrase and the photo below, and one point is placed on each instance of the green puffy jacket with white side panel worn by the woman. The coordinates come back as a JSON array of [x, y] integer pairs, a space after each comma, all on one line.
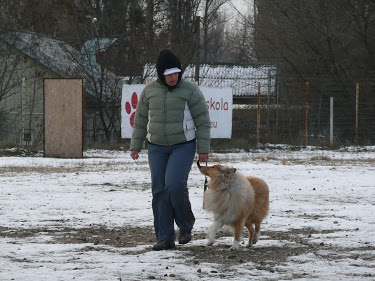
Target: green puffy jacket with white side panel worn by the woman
[[171, 117]]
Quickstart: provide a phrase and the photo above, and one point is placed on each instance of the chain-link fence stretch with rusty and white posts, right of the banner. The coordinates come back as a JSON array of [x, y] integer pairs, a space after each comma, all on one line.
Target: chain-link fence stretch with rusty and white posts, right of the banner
[[307, 117]]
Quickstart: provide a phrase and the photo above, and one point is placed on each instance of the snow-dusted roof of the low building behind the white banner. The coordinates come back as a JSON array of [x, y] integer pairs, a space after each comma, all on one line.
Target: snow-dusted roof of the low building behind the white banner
[[244, 80]]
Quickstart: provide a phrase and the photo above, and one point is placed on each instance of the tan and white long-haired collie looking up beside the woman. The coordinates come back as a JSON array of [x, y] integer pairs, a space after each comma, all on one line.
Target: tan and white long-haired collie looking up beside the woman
[[235, 200]]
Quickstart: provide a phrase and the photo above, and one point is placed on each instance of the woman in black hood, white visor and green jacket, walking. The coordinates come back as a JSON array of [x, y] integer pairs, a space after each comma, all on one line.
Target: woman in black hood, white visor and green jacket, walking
[[173, 116]]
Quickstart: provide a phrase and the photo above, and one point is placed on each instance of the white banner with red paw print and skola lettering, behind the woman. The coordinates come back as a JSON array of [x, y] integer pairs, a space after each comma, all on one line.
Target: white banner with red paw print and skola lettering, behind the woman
[[219, 103]]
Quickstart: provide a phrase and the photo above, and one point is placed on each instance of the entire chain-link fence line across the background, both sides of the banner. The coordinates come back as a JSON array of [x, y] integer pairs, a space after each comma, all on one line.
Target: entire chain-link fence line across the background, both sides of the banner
[[301, 115]]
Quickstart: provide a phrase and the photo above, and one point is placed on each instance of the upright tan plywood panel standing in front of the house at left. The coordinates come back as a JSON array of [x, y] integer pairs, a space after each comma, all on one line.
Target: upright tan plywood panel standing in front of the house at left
[[63, 117]]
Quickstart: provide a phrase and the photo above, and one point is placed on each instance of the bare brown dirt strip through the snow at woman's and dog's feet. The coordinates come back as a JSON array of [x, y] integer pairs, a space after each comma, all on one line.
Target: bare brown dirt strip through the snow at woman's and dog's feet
[[297, 242]]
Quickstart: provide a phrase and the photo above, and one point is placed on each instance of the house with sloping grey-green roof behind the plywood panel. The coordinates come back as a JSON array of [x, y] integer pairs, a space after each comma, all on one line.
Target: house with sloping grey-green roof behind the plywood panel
[[26, 59]]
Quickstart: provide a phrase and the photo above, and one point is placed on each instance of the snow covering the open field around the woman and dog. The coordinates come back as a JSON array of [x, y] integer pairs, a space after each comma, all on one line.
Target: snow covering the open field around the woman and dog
[[329, 194]]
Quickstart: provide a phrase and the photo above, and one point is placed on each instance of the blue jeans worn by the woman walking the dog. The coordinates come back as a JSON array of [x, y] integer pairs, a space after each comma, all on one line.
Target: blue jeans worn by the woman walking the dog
[[170, 167]]
